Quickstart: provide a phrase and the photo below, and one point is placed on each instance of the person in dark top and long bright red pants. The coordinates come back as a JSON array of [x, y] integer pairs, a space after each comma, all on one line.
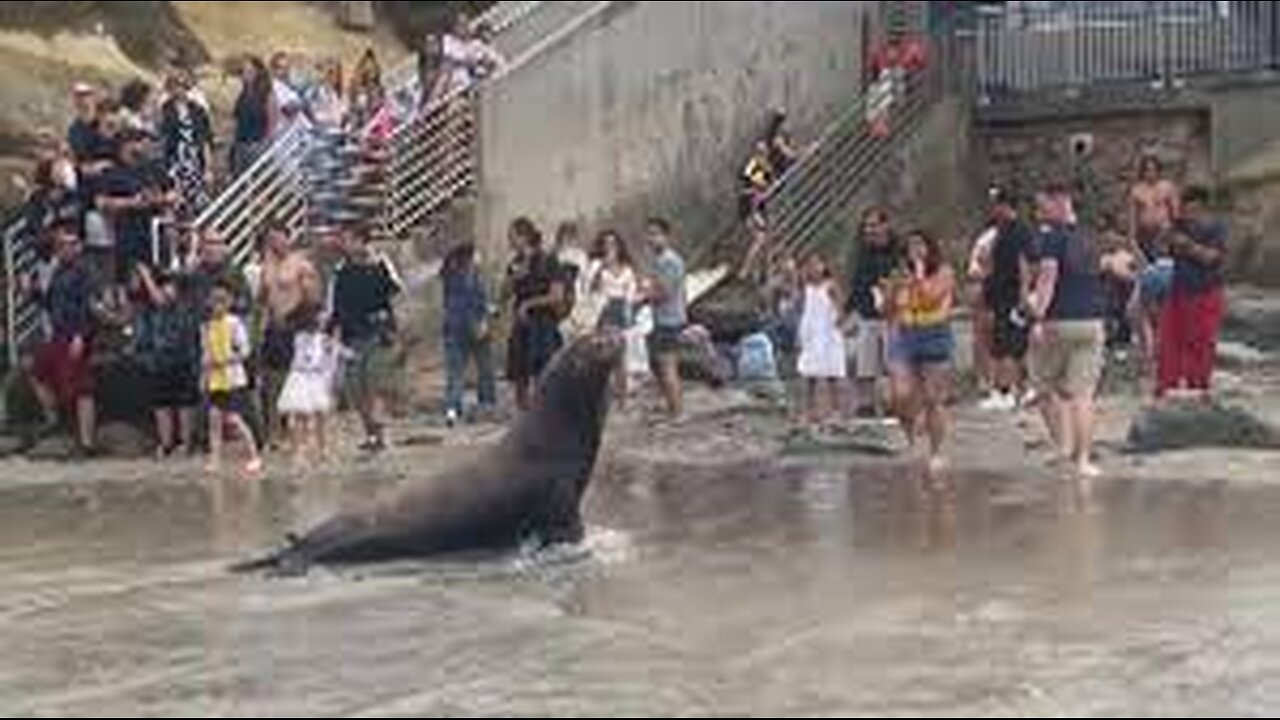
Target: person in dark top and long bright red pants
[[1194, 316]]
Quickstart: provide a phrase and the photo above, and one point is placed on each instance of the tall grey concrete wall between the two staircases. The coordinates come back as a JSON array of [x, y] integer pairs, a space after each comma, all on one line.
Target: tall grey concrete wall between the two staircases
[[652, 107]]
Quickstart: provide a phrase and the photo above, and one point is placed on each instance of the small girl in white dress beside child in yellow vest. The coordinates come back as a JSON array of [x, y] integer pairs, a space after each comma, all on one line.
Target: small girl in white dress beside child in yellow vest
[[308, 399]]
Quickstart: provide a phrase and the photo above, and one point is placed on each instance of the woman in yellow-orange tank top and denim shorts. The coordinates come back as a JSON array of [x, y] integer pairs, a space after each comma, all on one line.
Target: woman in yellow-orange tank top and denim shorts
[[920, 300]]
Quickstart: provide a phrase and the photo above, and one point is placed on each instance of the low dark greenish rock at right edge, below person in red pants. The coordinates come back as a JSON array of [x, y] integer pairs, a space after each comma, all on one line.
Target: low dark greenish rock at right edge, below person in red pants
[[1187, 426]]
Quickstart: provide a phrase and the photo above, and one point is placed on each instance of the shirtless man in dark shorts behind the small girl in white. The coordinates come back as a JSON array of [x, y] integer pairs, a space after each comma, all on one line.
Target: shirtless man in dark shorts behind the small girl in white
[[290, 284]]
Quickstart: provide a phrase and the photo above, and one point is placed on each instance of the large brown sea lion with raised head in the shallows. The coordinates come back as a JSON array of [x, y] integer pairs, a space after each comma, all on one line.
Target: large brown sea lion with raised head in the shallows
[[527, 489]]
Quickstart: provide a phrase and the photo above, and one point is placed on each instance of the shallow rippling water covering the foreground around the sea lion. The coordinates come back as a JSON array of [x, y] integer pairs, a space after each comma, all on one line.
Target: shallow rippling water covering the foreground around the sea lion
[[753, 590]]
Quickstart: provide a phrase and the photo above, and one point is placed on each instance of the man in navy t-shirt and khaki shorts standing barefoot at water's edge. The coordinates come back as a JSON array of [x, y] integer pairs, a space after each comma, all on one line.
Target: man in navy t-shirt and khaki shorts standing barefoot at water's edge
[[1068, 334]]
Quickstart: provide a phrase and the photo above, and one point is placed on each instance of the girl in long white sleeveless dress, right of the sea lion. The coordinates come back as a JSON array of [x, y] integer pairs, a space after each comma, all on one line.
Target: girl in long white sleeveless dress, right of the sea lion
[[824, 363]]
